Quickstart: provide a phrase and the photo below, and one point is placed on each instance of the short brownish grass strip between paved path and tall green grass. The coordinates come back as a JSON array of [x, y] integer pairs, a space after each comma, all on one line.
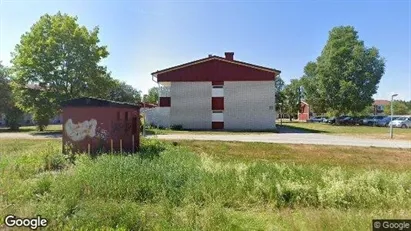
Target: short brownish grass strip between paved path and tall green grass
[[365, 158]]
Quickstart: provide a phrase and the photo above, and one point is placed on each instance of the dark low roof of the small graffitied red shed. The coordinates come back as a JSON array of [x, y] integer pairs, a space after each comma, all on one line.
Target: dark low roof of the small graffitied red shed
[[96, 102]]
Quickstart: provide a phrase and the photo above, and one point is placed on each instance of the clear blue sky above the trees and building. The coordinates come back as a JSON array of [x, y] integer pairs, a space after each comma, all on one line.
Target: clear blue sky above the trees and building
[[145, 36]]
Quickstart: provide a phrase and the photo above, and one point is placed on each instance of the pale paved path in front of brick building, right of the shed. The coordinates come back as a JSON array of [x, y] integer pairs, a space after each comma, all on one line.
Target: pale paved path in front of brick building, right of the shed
[[295, 138]]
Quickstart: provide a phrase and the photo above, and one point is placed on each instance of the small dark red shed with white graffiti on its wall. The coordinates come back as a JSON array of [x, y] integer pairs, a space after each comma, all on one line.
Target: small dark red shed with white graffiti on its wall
[[100, 125]]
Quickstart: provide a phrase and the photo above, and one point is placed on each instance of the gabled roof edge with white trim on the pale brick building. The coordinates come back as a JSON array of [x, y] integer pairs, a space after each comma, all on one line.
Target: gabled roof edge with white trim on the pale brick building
[[215, 57]]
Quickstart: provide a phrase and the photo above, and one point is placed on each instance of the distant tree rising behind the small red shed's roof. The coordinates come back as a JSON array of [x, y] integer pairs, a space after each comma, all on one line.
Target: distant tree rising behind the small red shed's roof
[[123, 92]]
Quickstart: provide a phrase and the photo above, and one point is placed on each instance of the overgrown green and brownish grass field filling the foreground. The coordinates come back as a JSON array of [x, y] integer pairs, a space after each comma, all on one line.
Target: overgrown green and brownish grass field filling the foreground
[[206, 186]]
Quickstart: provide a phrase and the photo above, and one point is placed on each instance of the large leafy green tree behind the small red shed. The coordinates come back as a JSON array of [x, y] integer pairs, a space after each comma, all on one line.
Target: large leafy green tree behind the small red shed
[[57, 60]]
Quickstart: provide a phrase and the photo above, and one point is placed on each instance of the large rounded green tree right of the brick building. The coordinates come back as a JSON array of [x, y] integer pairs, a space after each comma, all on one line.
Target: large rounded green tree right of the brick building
[[346, 74]]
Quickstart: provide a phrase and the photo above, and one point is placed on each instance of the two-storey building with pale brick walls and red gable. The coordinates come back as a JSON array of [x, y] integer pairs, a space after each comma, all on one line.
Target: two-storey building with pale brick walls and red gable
[[216, 93]]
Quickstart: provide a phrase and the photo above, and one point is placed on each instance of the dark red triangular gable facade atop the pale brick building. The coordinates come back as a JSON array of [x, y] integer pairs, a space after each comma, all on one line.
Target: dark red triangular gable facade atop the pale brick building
[[215, 70]]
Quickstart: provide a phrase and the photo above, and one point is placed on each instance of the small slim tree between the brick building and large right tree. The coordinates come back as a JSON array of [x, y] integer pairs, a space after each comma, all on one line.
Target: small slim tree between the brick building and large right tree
[[292, 98]]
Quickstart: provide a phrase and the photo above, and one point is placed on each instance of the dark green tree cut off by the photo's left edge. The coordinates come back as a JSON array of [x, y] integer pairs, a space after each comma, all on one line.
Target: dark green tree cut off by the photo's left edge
[[7, 105]]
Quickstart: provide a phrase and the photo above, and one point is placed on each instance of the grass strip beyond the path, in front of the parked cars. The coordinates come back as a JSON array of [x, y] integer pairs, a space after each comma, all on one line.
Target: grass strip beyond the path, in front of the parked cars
[[358, 131]]
